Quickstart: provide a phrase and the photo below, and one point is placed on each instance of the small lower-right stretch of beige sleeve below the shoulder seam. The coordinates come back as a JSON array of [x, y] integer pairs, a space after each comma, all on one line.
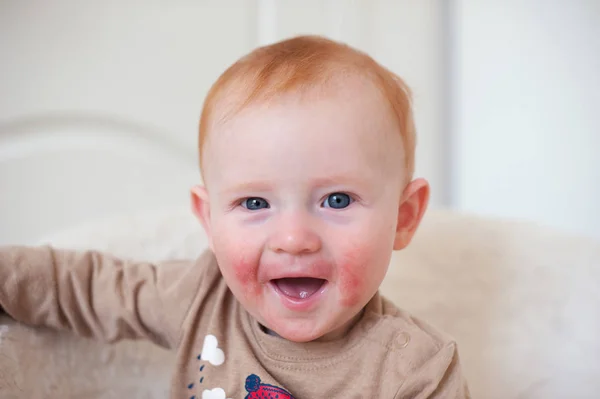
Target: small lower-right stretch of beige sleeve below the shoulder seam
[[440, 377]]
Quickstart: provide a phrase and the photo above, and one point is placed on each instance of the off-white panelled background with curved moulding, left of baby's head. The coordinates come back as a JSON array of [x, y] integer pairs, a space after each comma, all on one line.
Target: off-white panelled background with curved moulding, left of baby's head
[[99, 105]]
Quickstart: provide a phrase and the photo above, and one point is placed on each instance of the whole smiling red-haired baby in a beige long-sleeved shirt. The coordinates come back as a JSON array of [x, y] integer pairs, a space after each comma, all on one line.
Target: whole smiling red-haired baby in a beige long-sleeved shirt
[[307, 155]]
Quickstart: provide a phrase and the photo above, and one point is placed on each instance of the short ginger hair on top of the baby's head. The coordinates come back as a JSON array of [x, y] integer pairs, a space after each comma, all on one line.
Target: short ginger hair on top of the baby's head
[[299, 64]]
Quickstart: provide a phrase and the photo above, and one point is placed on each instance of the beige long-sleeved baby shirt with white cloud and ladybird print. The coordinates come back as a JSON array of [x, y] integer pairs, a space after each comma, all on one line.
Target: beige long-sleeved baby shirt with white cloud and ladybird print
[[186, 306]]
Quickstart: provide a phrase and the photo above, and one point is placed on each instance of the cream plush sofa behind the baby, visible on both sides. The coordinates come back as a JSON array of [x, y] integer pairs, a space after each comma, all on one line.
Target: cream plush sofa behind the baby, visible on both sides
[[522, 301]]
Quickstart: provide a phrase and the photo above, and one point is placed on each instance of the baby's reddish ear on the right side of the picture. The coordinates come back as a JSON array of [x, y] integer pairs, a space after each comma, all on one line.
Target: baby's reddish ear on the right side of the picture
[[413, 204]]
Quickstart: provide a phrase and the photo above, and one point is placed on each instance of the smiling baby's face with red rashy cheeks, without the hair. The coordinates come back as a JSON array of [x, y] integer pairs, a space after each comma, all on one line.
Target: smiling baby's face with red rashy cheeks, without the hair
[[301, 207]]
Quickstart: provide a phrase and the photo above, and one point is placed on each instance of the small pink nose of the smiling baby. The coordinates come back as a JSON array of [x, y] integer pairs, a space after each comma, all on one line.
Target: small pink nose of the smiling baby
[[295, 235]]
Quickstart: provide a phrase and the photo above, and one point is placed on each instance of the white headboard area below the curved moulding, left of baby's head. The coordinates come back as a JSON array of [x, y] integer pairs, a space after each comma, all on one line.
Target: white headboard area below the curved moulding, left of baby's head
[[64, 170]]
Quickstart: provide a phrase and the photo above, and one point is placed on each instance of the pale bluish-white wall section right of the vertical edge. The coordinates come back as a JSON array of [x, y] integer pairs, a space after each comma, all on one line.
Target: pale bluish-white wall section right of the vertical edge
[[526, 102]]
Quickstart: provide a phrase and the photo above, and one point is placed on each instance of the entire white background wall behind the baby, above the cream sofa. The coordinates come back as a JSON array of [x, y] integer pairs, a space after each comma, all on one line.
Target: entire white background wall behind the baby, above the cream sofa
[[516, 135]]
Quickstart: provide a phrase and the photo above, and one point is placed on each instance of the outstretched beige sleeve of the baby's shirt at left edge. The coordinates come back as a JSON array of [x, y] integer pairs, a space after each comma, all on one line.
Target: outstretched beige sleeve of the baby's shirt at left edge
[[98, 295]]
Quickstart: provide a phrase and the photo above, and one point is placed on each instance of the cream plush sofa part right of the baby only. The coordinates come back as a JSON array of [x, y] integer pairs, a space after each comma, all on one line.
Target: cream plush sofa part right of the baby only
[[521, 300]]
